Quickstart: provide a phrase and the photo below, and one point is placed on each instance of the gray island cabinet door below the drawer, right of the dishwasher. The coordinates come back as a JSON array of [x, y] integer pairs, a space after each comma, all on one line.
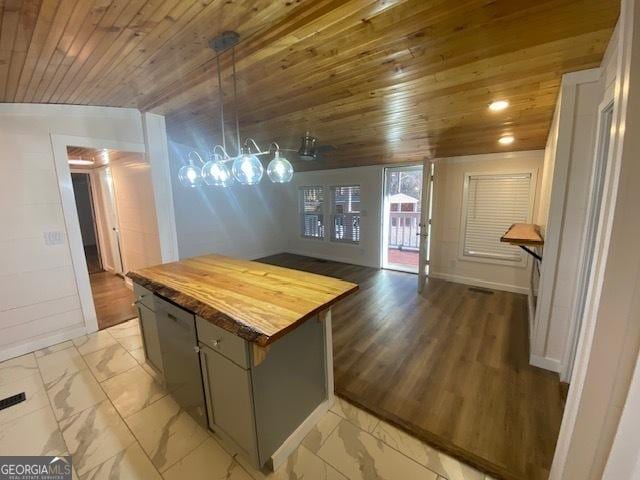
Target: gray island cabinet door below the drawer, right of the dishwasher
[[229, 399]]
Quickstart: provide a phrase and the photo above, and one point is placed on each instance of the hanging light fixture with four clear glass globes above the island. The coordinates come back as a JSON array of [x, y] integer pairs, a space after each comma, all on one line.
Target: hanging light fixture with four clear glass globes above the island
[[246, 167]]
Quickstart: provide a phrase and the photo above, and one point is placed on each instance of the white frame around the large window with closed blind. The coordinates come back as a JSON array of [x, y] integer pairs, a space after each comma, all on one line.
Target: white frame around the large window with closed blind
[[523, 262]]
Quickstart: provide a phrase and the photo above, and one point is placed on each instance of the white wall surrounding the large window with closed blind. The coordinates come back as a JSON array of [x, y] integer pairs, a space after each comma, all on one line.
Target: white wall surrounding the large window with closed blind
[[447, 212]]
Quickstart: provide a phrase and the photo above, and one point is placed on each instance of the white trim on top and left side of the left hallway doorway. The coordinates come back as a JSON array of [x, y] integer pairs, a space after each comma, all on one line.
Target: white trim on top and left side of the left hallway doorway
[[59, 145]]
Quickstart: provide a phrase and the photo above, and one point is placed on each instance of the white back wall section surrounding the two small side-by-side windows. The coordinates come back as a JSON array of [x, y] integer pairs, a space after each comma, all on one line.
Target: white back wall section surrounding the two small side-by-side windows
[[367, 252]]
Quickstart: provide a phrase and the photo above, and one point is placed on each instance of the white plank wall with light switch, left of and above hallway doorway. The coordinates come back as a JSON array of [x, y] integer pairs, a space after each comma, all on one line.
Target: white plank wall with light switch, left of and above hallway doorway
[[39, 298]]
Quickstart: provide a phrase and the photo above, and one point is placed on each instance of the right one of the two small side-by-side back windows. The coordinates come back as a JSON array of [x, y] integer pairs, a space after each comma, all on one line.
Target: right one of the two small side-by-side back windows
[[345, 214]]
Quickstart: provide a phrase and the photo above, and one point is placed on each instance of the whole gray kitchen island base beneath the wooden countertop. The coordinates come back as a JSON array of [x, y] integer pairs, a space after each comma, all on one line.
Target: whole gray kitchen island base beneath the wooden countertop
[[252, 404]]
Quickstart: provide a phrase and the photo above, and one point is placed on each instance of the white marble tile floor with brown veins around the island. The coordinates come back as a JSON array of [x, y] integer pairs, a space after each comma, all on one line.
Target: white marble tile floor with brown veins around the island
[[96, 399]]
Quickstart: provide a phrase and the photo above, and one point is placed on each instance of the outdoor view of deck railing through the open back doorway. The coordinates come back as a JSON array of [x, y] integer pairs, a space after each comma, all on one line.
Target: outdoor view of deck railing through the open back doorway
[[401, 219]]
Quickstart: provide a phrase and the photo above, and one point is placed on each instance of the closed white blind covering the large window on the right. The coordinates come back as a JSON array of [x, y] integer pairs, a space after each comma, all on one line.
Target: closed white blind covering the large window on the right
[[492, 204]]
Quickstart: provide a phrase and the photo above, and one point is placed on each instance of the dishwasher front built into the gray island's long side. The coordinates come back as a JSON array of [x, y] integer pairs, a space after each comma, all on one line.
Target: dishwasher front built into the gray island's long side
[[181, 361]]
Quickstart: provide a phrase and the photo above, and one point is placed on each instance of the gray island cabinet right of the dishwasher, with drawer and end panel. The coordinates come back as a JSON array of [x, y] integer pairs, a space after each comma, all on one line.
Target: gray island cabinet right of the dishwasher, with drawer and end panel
[[256, 407]]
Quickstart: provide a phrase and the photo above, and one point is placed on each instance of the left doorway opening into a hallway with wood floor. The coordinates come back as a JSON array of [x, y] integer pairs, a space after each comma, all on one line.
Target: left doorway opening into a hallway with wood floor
[[116, 211]]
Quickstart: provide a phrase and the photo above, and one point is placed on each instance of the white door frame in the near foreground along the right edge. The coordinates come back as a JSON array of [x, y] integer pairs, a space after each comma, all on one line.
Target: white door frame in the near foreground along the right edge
[[599, 437]]
